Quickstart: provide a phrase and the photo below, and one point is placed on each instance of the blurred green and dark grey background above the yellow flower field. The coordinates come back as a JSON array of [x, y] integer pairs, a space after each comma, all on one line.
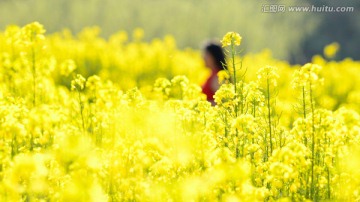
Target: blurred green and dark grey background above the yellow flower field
[[292, 36]]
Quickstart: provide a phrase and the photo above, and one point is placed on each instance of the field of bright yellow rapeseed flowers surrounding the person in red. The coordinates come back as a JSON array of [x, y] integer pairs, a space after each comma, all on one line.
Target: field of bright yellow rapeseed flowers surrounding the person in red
[[84, 118]]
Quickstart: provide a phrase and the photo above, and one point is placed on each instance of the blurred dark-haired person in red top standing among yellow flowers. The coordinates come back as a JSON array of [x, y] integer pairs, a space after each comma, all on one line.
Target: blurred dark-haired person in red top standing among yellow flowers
[[214, 59]]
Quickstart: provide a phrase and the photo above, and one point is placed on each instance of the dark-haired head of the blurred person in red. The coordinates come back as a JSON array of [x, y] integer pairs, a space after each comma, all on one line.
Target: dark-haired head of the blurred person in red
[[214, 56]]
